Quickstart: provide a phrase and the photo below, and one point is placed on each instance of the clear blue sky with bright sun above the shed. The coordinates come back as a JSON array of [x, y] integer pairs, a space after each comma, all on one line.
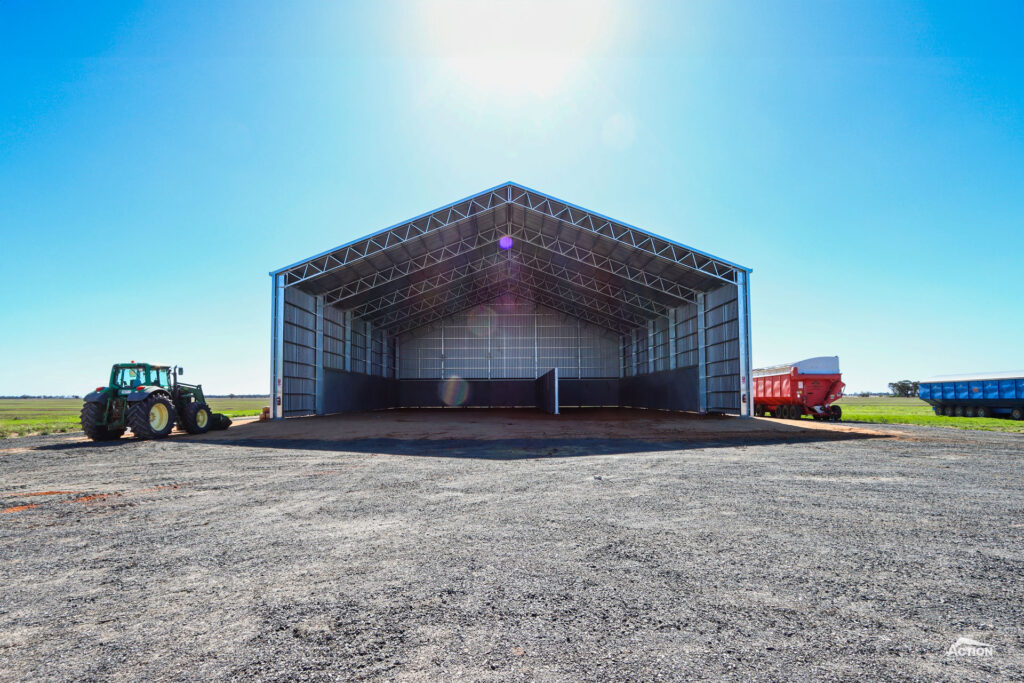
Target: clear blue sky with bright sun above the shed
[[157, 160]]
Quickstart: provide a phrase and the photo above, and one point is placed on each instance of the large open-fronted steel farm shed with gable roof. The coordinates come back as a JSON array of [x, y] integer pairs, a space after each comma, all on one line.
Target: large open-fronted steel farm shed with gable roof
[[510, 298]]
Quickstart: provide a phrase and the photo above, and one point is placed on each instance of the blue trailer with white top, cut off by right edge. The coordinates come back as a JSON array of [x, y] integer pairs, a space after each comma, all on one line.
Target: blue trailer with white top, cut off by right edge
[[988, 396]]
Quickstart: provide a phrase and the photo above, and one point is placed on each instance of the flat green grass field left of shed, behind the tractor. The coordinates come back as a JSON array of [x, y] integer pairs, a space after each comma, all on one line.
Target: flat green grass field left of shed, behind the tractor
[[55, 416]]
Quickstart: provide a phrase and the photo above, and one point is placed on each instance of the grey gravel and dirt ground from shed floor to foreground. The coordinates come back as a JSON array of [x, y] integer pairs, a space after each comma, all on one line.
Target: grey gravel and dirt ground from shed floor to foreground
[[436, 545]]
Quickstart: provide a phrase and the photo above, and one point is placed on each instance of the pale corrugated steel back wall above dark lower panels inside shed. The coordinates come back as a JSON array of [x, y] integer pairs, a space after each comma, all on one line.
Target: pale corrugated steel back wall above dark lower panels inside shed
[[508, 338]]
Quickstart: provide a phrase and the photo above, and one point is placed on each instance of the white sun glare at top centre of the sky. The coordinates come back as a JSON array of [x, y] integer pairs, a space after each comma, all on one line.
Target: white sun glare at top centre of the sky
[[527, 47]]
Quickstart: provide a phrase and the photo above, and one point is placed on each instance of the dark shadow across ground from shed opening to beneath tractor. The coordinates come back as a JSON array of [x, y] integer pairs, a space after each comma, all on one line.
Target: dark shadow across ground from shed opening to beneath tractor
[[501, 435]]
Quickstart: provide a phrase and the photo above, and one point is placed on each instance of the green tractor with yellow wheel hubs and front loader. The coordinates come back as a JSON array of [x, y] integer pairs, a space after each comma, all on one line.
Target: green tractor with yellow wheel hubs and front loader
[[148, 400]]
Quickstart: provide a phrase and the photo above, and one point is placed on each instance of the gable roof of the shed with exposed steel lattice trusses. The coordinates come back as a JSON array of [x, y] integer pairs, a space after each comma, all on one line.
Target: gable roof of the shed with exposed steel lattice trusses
[[564, 257]]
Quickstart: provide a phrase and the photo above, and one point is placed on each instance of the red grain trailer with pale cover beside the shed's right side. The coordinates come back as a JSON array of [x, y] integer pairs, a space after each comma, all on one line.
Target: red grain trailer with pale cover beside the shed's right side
[[796, 390]]
